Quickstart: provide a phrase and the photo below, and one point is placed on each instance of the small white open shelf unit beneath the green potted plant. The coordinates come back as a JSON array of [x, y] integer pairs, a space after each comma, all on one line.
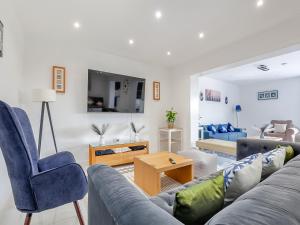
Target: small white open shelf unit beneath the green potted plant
[[170, 140]]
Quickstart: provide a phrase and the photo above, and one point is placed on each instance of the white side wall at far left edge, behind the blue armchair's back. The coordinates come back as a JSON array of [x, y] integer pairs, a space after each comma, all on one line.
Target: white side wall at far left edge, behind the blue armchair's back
[[10, 77]]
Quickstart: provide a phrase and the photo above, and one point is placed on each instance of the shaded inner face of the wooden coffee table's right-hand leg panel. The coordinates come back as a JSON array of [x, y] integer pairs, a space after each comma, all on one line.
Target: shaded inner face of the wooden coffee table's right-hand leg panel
[[182, 175]]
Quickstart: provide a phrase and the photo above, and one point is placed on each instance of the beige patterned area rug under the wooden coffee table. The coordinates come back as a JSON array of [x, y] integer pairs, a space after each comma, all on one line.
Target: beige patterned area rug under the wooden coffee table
[[167, 183]]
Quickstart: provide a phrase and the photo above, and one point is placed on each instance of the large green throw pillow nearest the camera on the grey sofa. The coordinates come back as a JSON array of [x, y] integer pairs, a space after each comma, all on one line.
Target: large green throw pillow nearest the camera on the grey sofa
[[200, 202]]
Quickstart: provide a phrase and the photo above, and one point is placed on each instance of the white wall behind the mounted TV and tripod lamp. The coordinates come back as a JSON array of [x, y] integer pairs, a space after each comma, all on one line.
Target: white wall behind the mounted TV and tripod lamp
[[71, 120]]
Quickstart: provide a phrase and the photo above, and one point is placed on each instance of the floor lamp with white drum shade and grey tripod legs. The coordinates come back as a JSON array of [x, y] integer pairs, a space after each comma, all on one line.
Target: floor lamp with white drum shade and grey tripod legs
[[44, 96]]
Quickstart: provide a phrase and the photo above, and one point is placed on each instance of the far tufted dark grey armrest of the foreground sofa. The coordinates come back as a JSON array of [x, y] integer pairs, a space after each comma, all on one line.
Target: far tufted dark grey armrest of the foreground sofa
[[246, 147]]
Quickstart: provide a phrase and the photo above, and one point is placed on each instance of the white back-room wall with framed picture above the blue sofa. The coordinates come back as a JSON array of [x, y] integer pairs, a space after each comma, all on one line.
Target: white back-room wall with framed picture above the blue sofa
[[218, 112]]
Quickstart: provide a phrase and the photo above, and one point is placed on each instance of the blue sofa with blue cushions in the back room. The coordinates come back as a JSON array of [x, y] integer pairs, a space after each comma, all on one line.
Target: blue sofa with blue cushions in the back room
[[226, 134]]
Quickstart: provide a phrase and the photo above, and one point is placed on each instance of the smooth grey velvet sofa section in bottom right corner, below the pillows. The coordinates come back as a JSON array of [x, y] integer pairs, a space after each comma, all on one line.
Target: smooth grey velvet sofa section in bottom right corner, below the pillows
[[273, 201]]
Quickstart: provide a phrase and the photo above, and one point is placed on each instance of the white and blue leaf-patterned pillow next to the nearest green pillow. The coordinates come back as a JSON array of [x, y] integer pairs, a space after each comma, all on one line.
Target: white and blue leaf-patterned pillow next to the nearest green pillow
[[242, 176]]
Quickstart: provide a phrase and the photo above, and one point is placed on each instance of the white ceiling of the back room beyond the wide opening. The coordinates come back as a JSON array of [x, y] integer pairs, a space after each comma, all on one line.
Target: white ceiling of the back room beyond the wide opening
[[250, 74]]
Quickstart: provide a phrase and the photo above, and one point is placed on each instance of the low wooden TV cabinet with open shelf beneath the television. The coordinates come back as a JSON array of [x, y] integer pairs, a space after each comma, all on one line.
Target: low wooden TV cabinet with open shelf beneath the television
[[117, 158]]
